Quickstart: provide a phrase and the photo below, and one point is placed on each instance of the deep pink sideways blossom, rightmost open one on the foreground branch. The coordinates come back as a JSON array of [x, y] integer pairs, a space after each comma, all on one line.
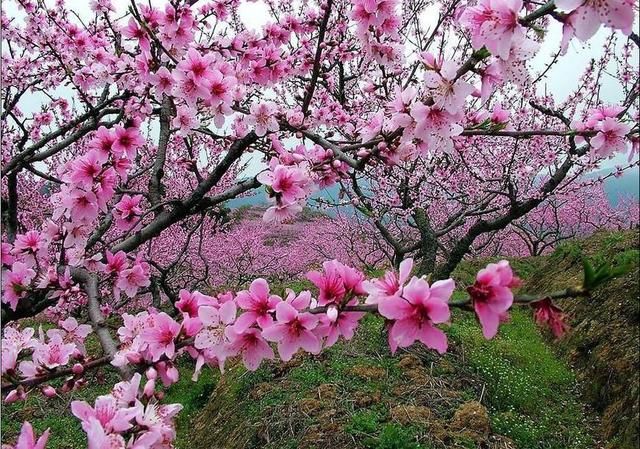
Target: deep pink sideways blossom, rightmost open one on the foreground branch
[[491, 295]]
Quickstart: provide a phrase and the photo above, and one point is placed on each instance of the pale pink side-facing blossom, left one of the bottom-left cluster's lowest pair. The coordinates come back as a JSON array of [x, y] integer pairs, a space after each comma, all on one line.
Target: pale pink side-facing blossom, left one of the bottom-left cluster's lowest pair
[[112, 417]]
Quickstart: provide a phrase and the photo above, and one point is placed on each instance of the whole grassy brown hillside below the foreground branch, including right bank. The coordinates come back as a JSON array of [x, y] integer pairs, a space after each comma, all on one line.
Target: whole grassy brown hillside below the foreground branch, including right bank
[[516, 391]]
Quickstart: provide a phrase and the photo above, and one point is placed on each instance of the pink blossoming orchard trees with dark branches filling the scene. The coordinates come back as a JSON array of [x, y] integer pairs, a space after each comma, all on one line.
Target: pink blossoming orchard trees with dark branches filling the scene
[[147, 114]]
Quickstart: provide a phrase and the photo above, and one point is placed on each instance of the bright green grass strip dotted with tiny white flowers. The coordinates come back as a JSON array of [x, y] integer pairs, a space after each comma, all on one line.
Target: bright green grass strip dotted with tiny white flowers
[[529, 390]]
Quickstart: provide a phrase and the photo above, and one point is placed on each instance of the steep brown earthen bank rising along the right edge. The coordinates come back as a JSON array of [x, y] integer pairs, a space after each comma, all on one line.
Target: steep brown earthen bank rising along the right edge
[[603, 346]]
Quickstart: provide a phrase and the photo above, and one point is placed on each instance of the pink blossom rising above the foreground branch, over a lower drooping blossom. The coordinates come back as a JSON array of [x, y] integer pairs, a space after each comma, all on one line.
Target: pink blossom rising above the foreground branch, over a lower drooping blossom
[[259, 305]]
